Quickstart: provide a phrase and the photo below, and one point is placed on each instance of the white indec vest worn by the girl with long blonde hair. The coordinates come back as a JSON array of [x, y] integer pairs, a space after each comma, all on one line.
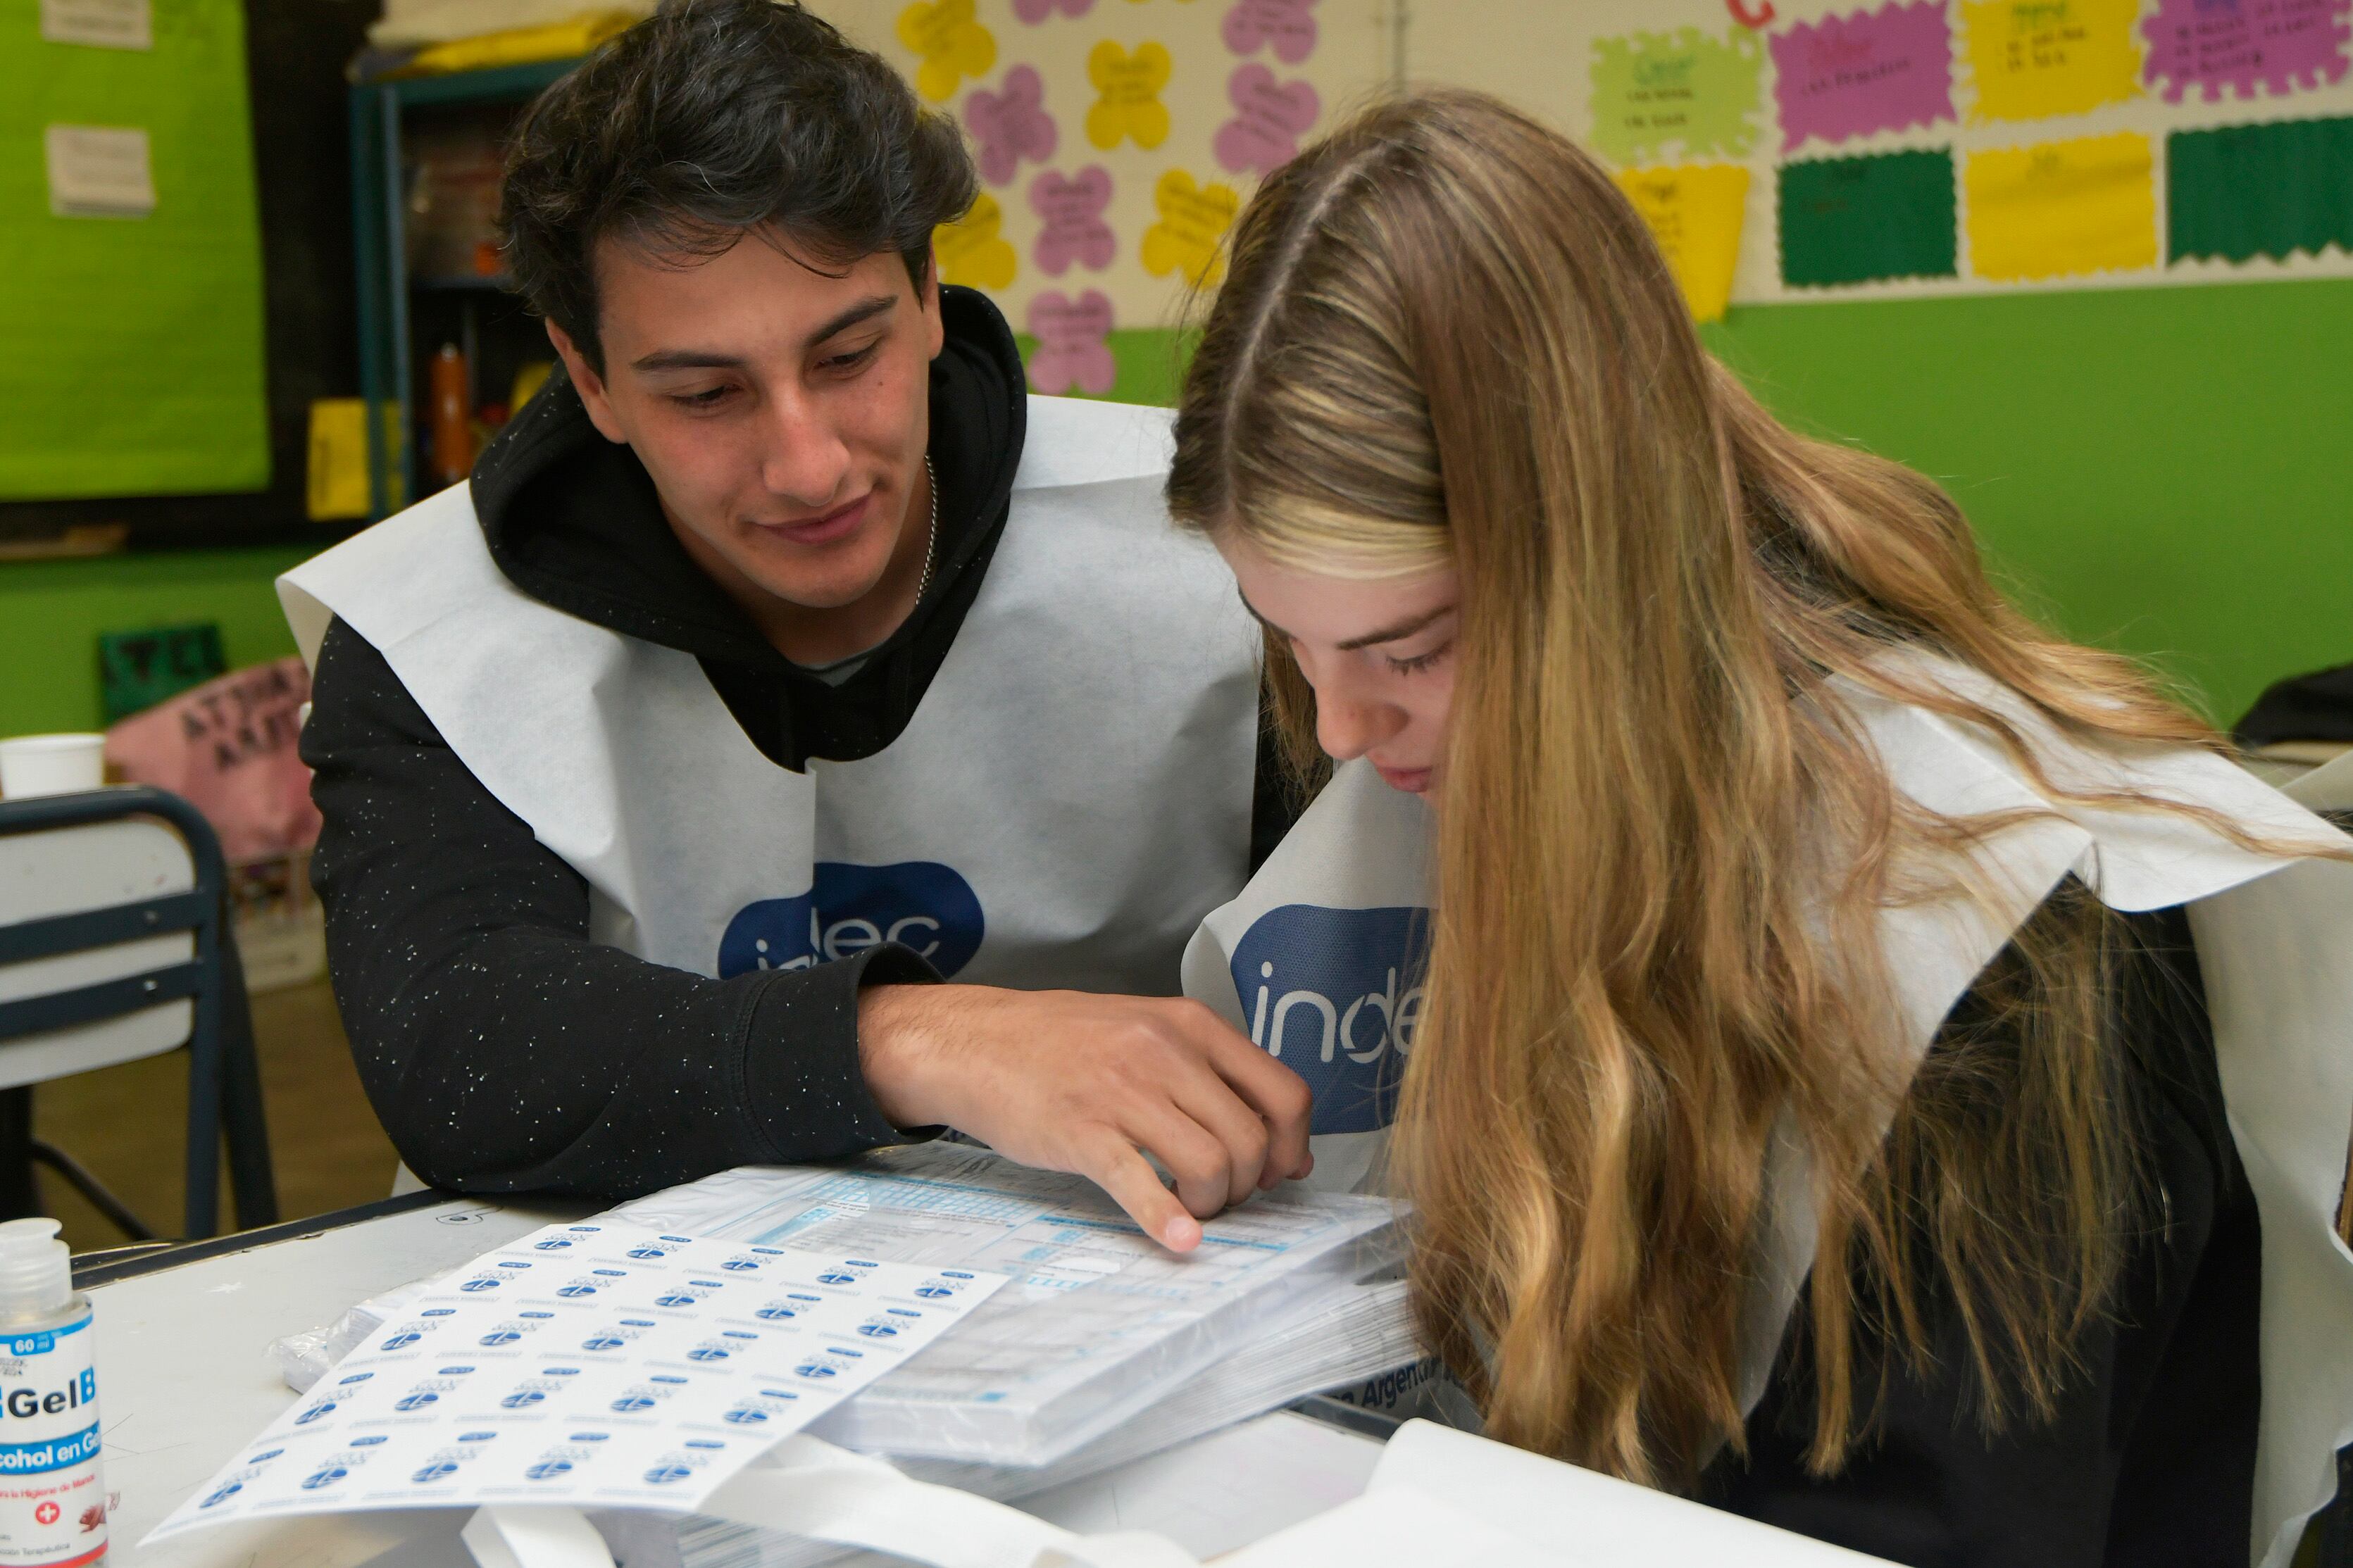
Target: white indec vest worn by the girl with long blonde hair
[[1333, 916]]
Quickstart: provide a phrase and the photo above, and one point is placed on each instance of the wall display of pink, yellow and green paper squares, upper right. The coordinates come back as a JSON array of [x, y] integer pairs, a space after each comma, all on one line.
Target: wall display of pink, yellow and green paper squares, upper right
[[1952, 147]]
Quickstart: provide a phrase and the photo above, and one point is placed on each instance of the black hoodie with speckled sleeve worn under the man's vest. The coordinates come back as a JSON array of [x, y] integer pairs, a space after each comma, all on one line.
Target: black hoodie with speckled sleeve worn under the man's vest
[[505, 1050]]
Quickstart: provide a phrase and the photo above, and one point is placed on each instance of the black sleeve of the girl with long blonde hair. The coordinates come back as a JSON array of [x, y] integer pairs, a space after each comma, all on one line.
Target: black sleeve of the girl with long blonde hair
[[2149, 1461]]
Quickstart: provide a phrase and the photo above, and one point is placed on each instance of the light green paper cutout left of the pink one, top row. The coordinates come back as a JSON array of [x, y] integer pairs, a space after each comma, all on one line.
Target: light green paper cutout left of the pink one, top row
[[1677, 95]]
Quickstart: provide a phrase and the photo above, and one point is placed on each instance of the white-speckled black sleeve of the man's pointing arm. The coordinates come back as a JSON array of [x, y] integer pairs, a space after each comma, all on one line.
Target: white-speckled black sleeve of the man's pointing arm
[[502, 1050]]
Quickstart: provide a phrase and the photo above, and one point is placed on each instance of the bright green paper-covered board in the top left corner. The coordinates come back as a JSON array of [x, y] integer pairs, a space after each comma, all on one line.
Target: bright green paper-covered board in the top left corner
[[131, 342]]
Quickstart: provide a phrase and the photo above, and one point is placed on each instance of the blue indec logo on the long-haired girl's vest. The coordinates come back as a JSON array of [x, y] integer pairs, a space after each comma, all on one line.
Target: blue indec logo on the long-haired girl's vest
[[1335, 996]]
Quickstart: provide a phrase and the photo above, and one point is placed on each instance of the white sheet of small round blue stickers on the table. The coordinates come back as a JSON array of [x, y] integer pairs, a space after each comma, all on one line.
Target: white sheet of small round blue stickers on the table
[[589, 1367]]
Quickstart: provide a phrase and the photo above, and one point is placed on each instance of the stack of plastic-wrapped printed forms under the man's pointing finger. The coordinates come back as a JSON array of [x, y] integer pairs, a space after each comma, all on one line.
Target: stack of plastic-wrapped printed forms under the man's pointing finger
[[1095, 1322]]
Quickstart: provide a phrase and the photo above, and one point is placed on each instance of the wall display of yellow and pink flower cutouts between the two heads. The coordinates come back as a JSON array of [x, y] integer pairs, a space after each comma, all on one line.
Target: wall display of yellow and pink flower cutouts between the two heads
[[1116, 142]]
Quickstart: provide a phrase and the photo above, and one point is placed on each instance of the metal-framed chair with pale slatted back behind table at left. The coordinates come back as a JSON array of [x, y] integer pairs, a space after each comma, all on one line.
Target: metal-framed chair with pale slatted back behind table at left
[[116, 946]]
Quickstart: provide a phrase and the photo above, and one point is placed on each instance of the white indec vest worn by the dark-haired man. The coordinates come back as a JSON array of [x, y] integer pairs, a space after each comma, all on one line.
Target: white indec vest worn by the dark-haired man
[[1069, 798]]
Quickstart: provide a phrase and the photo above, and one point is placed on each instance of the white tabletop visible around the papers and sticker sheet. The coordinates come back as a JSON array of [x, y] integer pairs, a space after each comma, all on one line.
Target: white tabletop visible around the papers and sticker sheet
[[185, 1379]]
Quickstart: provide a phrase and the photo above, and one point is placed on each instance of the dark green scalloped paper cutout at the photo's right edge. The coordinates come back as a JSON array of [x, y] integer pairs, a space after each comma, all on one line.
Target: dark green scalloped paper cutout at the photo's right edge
[[2260, 189]]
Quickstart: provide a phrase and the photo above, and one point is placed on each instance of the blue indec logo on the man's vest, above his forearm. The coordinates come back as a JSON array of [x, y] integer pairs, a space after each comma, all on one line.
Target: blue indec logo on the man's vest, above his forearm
[[851, 909]]
